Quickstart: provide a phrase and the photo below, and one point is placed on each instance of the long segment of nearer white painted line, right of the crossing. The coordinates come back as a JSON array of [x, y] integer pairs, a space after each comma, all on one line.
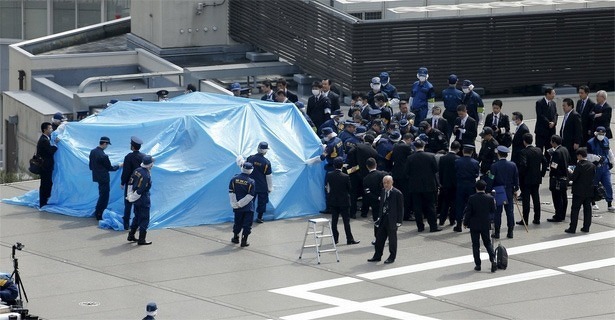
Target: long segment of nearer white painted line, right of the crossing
[[492, 282]]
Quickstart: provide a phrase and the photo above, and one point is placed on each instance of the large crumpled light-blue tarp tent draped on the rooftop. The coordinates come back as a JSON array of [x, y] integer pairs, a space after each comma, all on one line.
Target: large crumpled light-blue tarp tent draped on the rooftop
[[195, 140]]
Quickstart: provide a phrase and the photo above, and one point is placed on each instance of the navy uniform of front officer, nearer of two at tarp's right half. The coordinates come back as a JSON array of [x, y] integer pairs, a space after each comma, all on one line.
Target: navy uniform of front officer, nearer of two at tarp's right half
[[242, 185]]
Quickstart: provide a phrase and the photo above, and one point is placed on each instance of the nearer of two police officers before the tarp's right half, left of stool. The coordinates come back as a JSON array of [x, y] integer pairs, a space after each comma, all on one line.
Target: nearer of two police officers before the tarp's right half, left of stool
[[241, 193]]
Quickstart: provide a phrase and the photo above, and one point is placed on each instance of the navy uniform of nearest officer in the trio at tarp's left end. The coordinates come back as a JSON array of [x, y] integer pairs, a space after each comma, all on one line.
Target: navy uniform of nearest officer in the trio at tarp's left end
[[141, 182]]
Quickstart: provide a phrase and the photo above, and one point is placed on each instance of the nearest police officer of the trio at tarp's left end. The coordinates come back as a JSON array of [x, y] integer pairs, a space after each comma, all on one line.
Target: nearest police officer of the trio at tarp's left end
[[141, 182]]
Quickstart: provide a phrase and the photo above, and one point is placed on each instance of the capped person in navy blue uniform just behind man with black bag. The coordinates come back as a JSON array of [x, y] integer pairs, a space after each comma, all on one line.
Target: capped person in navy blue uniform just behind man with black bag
[[505, 177]]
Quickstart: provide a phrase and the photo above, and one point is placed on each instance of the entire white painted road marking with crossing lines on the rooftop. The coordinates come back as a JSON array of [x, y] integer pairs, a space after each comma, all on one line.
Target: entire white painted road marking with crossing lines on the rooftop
[[344, 306]]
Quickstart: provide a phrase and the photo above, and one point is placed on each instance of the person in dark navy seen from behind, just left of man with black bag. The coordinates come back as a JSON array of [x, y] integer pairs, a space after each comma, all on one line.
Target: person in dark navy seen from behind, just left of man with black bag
[[467, 171]]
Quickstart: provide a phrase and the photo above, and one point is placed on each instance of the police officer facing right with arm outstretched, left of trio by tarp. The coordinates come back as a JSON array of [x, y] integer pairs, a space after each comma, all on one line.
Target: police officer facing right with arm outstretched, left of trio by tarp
[[100, 166]]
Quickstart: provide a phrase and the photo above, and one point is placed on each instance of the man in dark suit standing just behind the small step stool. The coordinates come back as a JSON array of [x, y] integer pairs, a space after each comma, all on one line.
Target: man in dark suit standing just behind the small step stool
[[338, 198]]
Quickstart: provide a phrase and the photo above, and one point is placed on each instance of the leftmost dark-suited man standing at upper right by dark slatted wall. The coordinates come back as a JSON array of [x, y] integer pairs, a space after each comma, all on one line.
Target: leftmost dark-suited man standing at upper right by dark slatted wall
[[546, 119]]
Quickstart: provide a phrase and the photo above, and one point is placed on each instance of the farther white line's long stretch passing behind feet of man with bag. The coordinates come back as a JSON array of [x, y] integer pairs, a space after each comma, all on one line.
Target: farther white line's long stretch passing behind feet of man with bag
[[468, 259]]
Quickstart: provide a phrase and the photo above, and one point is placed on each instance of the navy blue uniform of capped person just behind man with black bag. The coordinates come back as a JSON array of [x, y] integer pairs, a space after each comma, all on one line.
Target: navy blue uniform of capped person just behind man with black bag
[[505, 175]]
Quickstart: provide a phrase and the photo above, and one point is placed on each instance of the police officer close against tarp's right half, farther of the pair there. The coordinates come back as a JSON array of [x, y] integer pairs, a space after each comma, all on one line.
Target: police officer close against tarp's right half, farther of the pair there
[[262, 178]]
